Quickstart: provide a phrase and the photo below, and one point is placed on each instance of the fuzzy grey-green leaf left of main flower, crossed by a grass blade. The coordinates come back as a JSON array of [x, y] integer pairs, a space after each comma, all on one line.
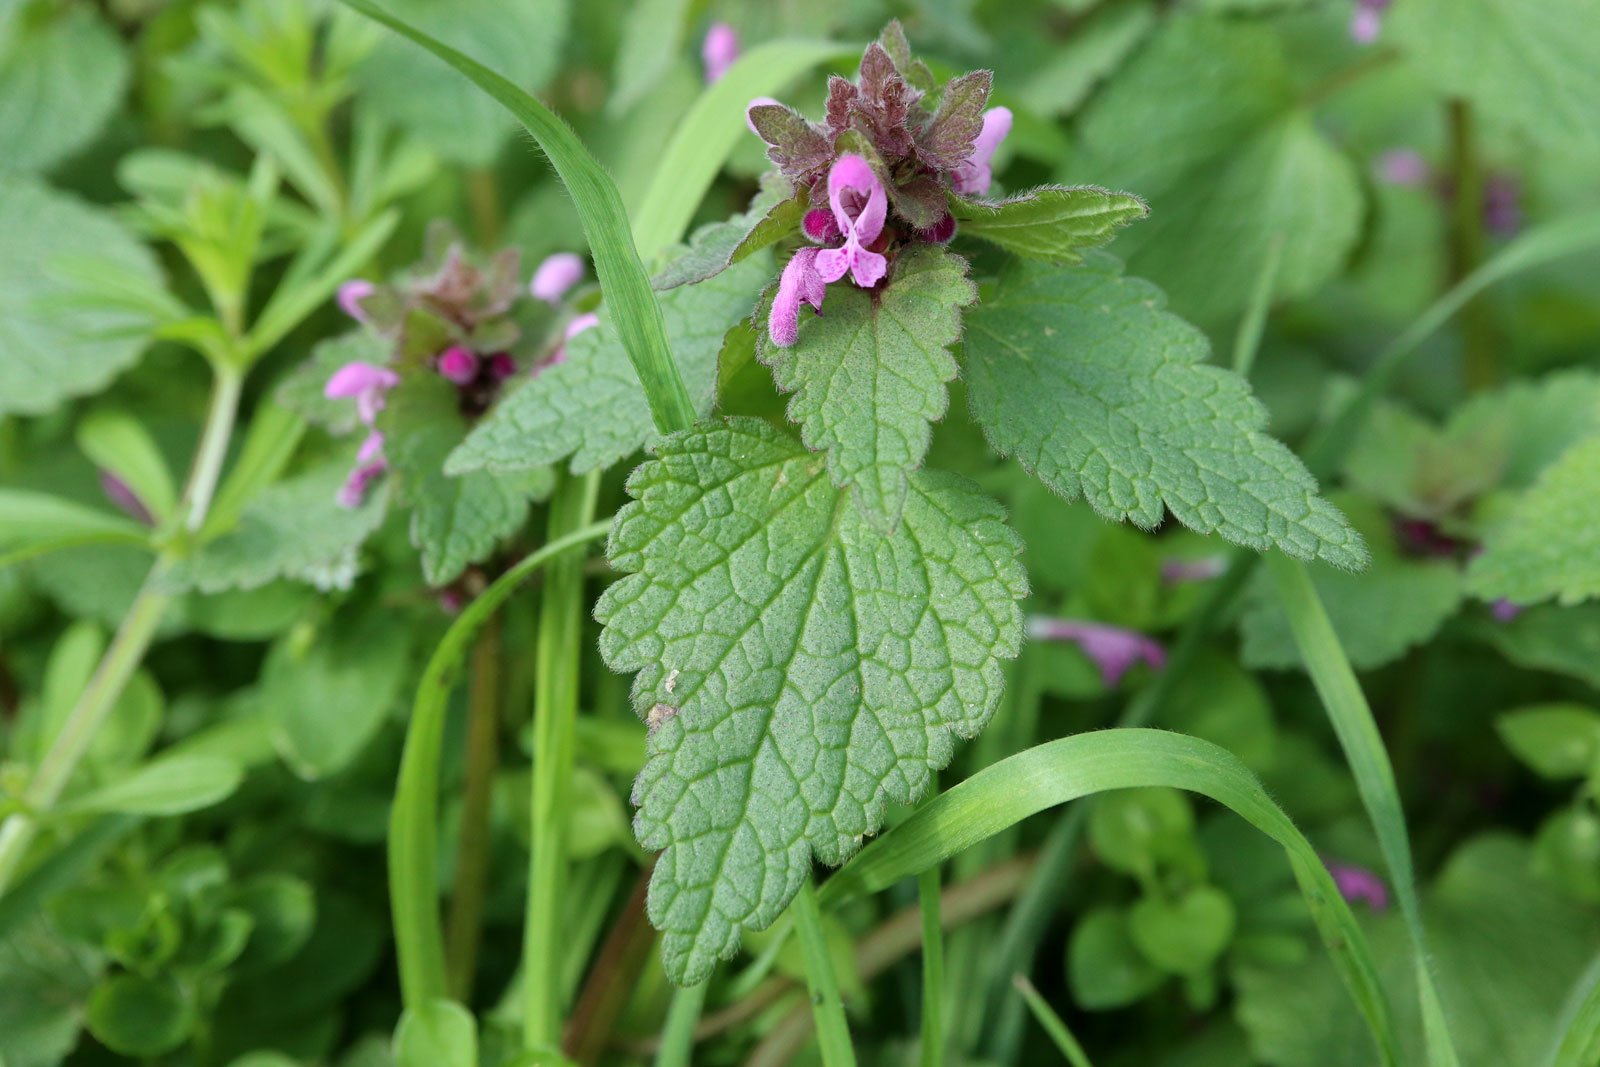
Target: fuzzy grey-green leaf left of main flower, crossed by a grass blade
[[591, 409]]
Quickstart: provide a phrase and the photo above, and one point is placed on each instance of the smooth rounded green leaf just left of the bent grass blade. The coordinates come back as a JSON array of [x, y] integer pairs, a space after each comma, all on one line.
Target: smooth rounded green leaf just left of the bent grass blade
[[329, 693]]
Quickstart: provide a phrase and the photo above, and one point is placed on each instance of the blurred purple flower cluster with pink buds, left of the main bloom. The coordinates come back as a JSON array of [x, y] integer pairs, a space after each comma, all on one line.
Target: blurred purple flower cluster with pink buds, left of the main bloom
[[455, 322]]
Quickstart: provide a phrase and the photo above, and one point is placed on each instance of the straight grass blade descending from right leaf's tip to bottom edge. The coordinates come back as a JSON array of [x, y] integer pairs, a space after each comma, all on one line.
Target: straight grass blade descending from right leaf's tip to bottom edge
[[1375, 780]]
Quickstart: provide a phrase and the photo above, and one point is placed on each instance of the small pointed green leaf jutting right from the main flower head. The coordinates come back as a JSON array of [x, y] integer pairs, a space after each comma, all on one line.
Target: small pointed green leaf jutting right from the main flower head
[[1050, 223]]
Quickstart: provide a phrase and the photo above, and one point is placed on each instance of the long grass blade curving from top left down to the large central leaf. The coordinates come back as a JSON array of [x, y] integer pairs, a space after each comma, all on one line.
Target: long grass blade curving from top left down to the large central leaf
[[606, 225]]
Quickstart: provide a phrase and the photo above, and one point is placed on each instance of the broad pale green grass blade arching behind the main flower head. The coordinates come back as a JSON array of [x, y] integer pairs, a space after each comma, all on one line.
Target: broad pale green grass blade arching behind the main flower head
[[713, 127]]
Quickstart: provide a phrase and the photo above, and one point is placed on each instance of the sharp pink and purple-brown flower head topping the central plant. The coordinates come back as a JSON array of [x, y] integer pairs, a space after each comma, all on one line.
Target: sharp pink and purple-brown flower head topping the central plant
[[886, 161]]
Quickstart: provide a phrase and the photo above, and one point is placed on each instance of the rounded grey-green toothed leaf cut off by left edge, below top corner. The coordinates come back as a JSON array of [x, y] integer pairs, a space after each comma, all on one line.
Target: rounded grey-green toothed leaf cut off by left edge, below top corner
[[55, 340]]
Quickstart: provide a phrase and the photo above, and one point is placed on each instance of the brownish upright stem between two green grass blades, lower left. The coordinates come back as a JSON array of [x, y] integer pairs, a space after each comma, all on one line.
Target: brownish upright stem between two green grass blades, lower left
[[473, 853]]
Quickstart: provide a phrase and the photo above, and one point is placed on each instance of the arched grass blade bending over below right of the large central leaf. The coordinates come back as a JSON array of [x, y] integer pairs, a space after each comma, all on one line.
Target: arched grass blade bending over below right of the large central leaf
[[1082, 765]]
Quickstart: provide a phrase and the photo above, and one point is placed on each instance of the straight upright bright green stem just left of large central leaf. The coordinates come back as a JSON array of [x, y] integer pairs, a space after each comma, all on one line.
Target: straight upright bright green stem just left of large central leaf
[[558, 652]]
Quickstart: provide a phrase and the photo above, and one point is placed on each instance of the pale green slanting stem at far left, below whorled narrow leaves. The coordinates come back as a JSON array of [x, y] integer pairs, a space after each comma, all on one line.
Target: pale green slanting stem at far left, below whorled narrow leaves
[[130, 644]]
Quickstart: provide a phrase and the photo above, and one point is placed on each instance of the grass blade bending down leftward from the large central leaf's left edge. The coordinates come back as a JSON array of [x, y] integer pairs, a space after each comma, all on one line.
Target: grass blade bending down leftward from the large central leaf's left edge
[[414, 826]]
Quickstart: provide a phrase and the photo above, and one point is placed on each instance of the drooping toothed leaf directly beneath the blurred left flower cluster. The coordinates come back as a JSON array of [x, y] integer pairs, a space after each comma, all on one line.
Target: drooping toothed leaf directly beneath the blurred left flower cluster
[[455, 521]]
